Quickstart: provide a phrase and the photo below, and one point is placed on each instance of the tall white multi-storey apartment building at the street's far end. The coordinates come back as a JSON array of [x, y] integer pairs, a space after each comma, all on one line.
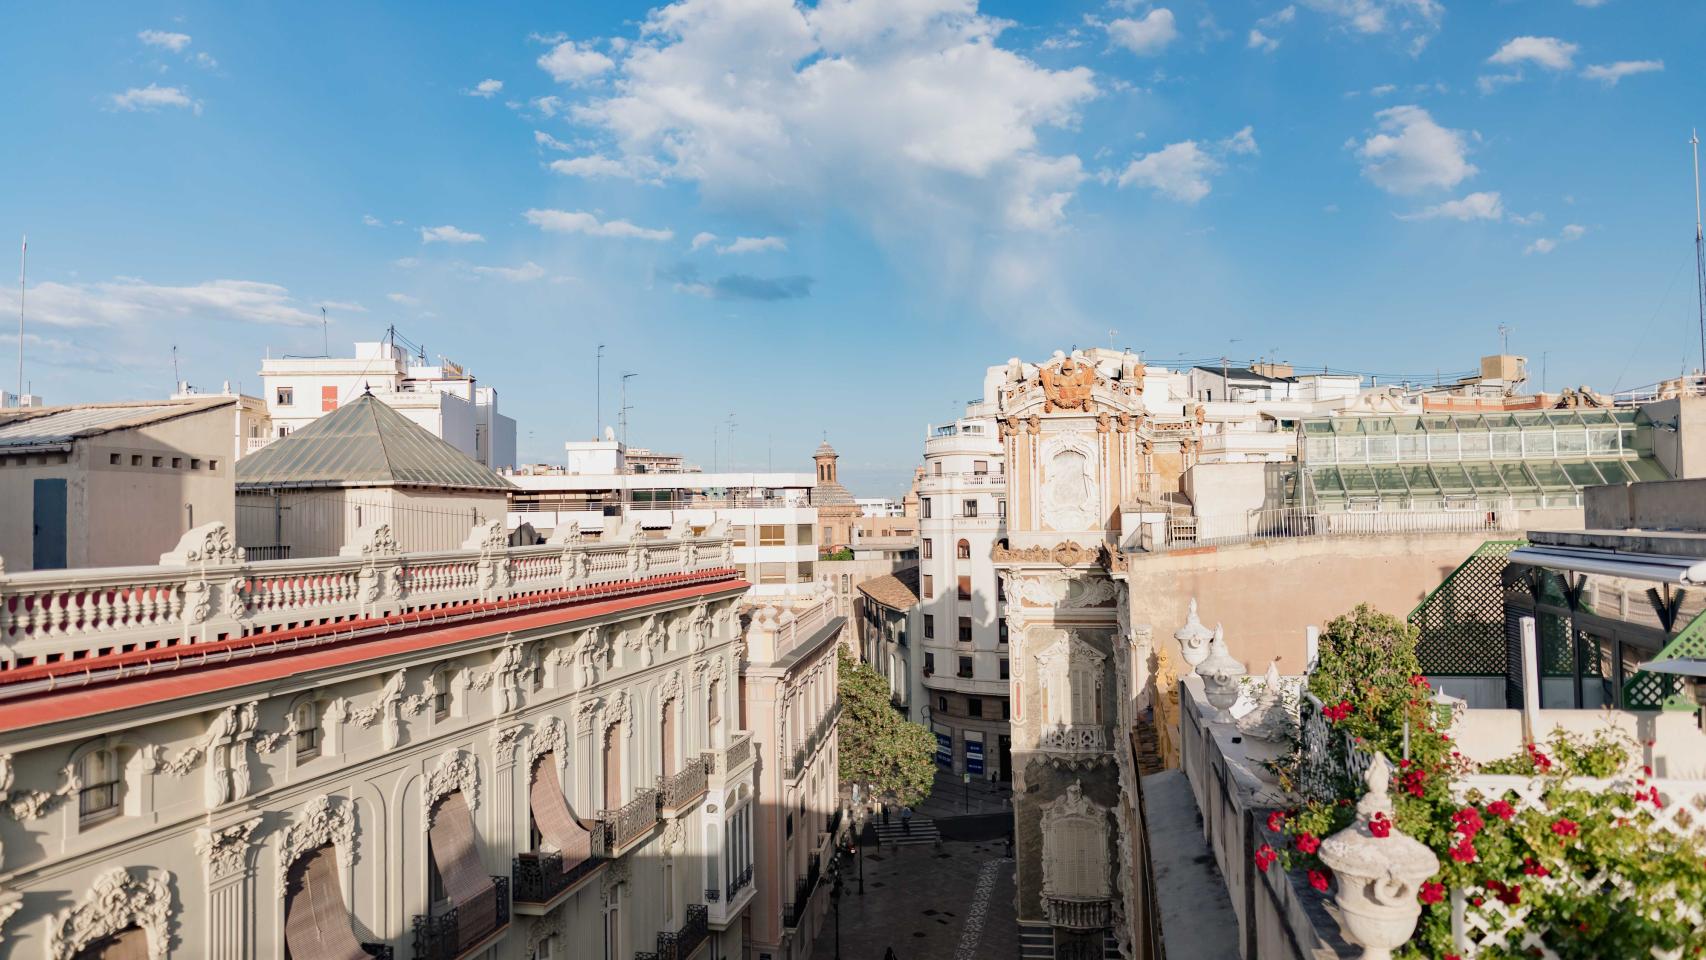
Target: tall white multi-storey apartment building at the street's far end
[[961, 640]]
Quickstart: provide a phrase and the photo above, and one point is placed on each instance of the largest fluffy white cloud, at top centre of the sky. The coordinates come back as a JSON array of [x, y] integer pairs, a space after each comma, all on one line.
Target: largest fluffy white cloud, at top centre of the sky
[[890, 110]]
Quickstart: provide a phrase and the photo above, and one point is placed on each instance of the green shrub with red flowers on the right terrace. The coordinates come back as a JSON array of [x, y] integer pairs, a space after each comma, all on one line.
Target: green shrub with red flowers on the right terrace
[[1586, 864]]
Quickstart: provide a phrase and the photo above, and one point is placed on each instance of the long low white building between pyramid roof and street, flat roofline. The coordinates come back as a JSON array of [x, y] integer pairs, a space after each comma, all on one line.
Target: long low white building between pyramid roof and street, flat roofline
[[770, 514]]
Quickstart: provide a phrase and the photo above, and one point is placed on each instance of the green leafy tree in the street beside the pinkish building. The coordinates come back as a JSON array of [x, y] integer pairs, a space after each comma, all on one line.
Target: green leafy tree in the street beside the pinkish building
[[881, 749]]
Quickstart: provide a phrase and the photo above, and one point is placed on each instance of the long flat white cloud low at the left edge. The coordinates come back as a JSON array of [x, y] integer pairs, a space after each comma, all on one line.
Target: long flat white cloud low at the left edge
[[131, 303]]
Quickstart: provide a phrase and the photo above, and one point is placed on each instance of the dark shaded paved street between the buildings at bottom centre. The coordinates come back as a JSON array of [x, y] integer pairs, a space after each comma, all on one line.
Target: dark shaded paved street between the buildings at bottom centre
[[955, 903]]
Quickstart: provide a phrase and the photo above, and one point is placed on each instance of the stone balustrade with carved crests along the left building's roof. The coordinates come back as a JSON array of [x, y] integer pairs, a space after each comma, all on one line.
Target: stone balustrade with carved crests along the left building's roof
[[207, 593]]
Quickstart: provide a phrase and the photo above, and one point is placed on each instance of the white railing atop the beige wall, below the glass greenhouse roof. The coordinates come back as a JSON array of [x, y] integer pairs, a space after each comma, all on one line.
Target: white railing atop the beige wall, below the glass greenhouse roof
[[1297, 523]]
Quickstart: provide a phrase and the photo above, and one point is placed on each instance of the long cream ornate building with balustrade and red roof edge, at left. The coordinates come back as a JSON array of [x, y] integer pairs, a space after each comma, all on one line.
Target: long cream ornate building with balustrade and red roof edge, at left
[[494, 753]]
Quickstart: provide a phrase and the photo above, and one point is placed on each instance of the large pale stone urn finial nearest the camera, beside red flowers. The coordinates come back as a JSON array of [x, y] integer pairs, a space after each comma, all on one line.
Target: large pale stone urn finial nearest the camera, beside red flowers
[[1379, 872]]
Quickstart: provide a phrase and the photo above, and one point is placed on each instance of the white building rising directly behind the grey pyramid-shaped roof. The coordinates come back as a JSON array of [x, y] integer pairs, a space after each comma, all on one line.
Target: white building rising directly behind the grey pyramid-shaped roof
[[444, 398]]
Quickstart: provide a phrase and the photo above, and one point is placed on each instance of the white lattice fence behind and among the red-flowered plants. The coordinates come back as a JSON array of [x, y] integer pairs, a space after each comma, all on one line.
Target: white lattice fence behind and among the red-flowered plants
[[1495, 923]]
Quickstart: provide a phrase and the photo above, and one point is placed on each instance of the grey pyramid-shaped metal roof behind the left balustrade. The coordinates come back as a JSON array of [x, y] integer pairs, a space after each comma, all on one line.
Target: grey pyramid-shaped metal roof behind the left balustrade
[[364, 444]]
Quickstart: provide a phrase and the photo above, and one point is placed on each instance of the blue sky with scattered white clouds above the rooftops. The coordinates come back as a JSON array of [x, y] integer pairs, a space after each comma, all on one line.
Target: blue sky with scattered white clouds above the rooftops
[[833, 217]]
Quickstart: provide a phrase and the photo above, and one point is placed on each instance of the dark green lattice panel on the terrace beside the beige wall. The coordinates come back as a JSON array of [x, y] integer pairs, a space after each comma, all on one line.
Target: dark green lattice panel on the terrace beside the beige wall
[[1463, 620]]
